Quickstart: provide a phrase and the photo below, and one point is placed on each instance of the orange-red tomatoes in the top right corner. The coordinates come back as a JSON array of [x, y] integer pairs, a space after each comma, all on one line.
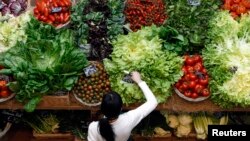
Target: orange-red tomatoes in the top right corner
[[236, 7]]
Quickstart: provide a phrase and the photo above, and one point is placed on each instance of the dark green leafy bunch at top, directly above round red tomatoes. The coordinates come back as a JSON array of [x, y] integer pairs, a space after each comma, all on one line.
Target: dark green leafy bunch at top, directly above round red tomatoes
[[192, 20]]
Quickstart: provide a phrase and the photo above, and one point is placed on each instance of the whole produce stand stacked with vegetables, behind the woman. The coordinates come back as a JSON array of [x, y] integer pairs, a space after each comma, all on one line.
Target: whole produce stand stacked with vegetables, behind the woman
[[59, 39]]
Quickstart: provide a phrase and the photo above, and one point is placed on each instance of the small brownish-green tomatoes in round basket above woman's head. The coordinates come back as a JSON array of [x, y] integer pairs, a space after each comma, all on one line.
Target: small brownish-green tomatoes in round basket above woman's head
[[90, 89]]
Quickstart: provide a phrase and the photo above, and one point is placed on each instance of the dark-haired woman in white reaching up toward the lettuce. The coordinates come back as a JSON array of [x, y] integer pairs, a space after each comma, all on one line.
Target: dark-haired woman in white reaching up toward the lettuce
[[116, 126]]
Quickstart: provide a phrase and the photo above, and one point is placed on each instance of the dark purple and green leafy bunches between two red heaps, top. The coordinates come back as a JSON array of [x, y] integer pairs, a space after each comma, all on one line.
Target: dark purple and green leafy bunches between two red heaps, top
[[97, 22]]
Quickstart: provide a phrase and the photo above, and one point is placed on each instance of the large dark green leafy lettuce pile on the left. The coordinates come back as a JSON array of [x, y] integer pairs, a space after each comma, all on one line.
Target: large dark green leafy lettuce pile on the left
[[42, 65]]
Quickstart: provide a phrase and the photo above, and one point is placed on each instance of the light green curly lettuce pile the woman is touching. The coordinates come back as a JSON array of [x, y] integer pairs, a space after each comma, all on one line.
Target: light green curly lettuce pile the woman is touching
[[142, 51]]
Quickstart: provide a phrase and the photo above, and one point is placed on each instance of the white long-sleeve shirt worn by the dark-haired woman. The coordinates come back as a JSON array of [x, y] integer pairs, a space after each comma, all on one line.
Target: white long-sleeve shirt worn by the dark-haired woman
[[125, 123]]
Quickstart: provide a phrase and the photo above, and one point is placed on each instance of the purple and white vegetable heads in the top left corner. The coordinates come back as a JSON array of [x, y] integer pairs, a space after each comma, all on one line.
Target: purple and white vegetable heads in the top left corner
[[13, 7]]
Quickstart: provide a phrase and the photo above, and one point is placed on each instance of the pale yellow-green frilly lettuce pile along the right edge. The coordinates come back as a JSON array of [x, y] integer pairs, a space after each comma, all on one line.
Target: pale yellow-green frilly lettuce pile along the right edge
[[227, 59]]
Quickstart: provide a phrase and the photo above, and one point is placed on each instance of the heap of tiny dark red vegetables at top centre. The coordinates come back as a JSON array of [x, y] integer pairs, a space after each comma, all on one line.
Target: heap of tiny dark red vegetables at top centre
[[144, 13]]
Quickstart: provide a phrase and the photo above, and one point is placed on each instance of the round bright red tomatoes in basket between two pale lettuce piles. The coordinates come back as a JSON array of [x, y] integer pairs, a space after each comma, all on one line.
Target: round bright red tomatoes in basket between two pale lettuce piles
[[194, 82]]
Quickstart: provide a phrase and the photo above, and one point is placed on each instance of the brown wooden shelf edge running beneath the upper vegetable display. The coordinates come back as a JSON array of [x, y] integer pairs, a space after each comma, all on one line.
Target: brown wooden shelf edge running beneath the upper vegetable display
[[174, 103]]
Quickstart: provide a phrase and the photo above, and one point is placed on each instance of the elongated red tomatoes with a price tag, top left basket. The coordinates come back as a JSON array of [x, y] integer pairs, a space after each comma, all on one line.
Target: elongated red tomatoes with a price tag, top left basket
[[54, 12]]
